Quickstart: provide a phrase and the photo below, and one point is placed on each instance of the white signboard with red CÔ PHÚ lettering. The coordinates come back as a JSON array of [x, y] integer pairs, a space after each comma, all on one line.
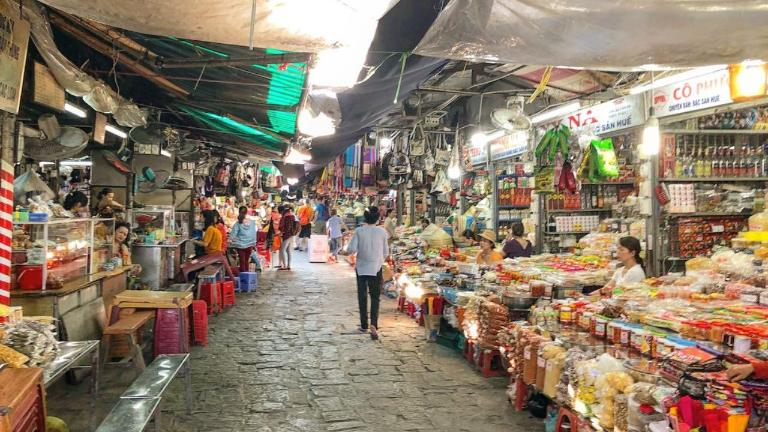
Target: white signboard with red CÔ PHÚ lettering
[[705, 91]]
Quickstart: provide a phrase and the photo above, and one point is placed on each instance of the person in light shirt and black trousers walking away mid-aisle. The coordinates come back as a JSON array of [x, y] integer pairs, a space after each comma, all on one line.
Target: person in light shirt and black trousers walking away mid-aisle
[[370, 243]]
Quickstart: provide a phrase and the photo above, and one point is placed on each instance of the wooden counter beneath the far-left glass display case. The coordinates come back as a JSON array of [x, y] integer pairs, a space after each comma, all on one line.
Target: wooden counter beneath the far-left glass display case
[[80, 306]]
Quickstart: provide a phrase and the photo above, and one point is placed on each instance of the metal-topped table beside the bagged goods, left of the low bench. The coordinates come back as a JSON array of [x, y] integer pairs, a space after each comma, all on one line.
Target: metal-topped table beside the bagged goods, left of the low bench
[[70, 355]]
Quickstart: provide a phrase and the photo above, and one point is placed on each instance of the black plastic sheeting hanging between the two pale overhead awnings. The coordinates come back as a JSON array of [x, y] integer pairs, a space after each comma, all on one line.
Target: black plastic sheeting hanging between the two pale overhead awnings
[[365, 104]]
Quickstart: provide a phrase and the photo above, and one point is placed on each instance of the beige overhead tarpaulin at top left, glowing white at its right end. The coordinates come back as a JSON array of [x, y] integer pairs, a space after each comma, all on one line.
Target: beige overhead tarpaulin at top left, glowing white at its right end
[[293, 25]]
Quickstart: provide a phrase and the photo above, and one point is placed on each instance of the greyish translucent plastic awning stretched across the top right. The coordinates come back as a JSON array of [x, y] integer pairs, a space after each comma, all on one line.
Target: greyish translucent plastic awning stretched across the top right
[[599, 34]]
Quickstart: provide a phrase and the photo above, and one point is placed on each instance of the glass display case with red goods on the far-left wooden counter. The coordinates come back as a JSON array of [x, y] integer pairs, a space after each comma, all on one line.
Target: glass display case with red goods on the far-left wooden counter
[[47, 255]]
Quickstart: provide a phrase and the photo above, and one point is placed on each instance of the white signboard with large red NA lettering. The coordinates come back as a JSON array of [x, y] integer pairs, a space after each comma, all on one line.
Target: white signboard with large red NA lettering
[[620, 113]]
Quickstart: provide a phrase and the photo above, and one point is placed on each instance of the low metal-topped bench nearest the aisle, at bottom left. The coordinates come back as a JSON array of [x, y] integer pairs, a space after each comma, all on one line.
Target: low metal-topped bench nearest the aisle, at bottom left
[[140, 403]]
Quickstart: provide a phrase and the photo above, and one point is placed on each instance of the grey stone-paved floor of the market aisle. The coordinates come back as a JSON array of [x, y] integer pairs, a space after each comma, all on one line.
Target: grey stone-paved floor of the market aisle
[[288, 358]]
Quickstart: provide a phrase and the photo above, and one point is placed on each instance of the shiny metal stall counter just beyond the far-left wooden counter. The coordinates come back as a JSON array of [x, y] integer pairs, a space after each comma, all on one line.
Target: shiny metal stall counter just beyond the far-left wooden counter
[[159, 262]]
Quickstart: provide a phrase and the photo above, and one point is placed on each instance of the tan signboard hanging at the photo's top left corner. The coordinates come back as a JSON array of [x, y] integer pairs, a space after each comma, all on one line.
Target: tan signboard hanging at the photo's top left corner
[[14, 36]]
